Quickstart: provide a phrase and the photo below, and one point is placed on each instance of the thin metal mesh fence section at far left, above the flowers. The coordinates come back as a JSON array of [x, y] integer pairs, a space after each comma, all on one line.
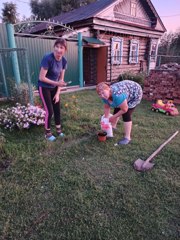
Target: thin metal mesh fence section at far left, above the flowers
[[7, 71]]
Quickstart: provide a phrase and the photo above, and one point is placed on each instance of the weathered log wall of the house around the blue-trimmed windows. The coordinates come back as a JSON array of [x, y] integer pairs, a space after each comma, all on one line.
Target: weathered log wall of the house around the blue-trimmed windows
[[113, 71]]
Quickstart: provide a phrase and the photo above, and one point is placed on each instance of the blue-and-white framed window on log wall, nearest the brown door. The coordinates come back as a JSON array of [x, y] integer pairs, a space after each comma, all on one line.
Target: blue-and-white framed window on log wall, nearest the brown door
[[116, 50]]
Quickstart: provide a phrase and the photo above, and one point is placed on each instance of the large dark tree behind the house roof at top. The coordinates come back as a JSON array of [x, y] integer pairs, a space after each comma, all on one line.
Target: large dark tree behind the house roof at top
[[47, 9]]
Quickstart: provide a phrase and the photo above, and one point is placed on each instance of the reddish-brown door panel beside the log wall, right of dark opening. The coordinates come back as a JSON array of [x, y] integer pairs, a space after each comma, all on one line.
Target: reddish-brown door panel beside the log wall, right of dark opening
[[101, 64]]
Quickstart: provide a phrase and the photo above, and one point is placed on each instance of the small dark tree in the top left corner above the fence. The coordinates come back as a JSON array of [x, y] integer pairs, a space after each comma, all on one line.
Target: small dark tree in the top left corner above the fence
[[9, 13]]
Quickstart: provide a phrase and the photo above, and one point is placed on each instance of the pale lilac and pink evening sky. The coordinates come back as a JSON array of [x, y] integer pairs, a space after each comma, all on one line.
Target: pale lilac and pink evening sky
[[168, 10]]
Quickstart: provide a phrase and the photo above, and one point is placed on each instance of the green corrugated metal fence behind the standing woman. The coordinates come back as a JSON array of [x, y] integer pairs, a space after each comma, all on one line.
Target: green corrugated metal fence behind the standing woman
[[36, 49]]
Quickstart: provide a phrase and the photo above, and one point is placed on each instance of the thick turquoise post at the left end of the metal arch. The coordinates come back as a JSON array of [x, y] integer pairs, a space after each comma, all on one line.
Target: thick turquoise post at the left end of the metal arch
[[12, 44]]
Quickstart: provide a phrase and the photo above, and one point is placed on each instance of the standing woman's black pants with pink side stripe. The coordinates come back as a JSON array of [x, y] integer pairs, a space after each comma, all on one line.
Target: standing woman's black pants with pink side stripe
[[47, 95]]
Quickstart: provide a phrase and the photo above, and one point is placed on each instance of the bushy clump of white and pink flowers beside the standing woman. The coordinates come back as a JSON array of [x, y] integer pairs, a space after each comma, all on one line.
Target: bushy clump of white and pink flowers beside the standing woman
[[21, 116]]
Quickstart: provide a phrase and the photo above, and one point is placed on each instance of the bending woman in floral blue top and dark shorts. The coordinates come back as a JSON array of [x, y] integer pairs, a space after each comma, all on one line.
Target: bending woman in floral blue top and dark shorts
[[123, 96]]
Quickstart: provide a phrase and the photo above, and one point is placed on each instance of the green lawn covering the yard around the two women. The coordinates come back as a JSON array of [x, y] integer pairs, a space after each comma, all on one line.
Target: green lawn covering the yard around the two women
[[82, 189]]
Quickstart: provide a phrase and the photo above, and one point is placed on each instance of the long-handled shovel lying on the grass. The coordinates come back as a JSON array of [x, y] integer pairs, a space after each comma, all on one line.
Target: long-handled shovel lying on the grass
[[142, 166]]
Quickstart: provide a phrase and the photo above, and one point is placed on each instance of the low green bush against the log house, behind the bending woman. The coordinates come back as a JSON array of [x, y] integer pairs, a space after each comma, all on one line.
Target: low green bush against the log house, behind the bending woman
[[139, 77]]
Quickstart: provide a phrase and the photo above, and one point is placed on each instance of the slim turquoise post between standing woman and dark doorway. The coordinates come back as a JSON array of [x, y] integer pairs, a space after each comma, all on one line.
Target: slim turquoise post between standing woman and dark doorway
[[80, 59]]
